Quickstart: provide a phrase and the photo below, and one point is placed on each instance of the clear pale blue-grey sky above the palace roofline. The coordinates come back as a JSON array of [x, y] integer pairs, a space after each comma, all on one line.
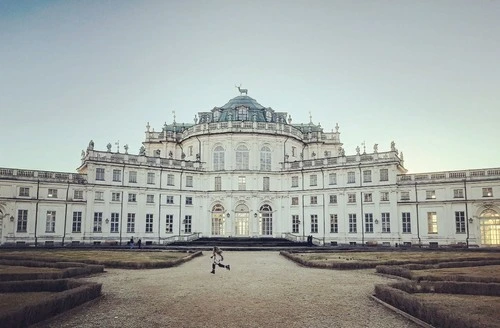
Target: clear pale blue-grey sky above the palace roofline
[[425, 74]]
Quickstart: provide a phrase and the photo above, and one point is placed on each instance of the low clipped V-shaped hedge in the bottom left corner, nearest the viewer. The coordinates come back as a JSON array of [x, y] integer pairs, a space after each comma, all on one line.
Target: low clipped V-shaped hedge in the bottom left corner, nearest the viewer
[[70, 293]]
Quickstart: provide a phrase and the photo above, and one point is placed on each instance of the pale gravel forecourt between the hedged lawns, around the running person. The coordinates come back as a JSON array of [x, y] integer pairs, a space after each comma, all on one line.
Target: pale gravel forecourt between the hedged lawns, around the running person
[[262, 289]]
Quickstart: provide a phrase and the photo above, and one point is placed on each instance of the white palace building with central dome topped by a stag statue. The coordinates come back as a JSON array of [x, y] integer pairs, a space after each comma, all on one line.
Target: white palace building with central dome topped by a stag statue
[[247, 170]]
